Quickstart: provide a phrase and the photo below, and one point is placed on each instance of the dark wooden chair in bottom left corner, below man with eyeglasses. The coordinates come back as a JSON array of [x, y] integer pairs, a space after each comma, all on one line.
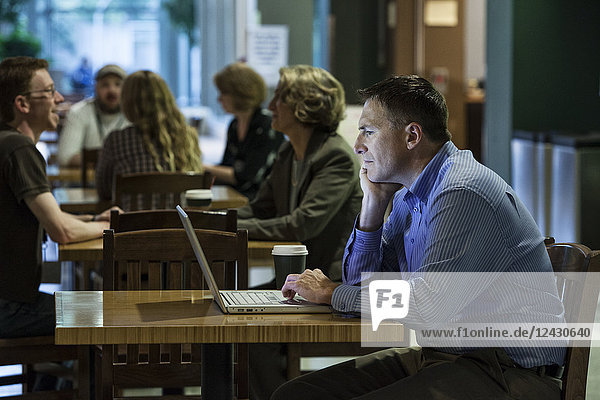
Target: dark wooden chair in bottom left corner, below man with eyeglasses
[[41, 349]]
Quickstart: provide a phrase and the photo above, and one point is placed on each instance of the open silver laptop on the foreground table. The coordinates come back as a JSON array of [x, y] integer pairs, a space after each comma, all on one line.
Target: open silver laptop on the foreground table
[[246, 301]]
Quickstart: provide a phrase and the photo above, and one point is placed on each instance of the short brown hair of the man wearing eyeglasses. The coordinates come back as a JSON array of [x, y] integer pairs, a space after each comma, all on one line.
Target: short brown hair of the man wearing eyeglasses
[[15, 79]]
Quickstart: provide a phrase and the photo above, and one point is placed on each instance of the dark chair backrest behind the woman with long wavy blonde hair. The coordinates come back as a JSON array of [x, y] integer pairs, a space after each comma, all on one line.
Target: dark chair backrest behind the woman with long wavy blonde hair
[[156, 190]]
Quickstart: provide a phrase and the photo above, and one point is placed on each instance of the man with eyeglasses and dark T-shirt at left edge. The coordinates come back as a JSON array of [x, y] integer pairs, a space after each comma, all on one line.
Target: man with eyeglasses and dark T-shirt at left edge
[[28, 106]]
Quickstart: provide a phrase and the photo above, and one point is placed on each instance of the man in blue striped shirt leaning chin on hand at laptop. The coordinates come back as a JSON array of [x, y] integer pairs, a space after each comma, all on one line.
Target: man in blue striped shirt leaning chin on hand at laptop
[[450, 214]]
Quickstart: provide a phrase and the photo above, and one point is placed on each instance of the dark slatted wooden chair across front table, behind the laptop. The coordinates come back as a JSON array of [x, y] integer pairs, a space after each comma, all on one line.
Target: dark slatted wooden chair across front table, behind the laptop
[[167, 258]]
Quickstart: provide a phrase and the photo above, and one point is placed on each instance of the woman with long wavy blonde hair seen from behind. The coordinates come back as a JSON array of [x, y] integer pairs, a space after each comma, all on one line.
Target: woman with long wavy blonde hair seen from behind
[[158, 140]]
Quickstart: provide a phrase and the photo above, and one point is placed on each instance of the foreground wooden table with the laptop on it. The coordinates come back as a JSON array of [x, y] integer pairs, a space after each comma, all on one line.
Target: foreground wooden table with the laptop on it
[[190, 316]]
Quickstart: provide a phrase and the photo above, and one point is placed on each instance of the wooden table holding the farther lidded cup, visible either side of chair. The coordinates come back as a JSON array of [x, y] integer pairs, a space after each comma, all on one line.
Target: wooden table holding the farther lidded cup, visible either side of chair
[[79, 200]]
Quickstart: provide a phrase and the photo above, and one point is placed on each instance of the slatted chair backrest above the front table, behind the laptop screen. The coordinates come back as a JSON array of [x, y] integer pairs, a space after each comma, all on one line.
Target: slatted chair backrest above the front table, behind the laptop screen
[[167, 259]]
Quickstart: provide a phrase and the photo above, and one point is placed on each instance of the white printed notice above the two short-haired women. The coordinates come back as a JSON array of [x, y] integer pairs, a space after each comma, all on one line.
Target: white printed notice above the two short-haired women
[[268, 50]]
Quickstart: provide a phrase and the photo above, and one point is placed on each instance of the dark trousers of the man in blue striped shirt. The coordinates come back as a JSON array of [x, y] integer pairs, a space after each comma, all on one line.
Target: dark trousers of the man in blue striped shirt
[[414, 373]]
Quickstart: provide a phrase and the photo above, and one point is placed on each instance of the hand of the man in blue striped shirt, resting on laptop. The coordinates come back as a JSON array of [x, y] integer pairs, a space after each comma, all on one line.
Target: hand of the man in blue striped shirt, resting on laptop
[[313, 285]]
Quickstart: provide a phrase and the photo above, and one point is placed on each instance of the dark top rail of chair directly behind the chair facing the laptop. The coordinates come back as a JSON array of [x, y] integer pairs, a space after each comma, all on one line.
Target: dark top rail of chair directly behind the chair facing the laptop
[[161, 219]]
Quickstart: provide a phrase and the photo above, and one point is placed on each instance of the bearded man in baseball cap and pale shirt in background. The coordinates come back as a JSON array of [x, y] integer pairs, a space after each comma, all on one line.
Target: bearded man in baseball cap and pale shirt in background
[[90, 121]]
